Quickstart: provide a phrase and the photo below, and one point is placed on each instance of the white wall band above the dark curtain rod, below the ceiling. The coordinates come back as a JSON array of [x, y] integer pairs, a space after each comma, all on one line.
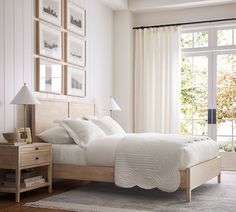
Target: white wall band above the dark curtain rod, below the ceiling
[[185, 15]]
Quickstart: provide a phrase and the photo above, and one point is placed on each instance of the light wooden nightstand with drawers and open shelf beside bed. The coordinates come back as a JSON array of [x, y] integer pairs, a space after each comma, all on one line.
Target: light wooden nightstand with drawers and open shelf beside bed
[[37, 156]]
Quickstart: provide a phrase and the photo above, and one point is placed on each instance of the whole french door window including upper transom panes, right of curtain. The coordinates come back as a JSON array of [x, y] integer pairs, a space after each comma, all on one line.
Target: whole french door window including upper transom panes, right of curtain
[[208, 82]]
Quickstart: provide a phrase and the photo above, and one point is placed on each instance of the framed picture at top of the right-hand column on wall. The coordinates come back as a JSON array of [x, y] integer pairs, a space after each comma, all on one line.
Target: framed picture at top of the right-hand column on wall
[[75, 20]]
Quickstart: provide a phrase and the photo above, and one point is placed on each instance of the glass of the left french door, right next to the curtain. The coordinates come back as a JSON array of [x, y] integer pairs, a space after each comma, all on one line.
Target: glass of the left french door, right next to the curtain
[[194, 94]]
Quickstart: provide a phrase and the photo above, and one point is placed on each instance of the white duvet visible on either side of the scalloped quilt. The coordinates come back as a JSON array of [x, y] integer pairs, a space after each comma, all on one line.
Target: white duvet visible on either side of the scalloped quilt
[[101, 152]]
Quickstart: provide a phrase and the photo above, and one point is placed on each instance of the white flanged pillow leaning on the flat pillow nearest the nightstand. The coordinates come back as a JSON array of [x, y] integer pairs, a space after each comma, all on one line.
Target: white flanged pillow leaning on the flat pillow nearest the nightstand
[[81, 131]]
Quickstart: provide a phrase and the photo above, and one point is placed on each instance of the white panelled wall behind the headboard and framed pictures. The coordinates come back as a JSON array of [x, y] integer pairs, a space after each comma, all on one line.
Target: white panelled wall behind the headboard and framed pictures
[[17, 49]]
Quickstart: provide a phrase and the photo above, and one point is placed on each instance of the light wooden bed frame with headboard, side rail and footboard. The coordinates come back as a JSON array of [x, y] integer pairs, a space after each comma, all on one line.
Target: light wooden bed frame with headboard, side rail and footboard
[[45, 113]]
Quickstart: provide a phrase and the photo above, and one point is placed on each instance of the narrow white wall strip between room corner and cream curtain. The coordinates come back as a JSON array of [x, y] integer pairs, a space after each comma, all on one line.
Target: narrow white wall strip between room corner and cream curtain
[[123, 68]]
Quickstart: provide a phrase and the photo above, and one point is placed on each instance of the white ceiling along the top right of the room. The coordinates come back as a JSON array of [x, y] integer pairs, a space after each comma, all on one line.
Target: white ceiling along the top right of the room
[[139, 6]]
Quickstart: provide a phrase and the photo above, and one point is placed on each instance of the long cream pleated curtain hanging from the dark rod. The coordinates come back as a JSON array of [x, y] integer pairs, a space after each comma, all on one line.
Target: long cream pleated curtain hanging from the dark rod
[[157, 94]]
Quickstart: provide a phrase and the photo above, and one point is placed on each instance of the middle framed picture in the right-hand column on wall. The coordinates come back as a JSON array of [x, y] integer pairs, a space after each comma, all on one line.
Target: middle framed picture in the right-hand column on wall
[[75, 51]]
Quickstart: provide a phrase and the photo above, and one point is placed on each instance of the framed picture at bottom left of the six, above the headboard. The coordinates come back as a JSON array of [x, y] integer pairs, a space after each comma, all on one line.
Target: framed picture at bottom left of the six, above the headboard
[[50, 76]]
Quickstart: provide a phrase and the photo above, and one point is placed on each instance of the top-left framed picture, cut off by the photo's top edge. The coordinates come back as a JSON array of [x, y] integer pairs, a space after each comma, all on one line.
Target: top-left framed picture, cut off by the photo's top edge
[[50, 11]]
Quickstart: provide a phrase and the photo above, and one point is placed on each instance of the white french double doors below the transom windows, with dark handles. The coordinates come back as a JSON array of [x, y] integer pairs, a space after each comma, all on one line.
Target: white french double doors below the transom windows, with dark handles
[[208, 93]]
